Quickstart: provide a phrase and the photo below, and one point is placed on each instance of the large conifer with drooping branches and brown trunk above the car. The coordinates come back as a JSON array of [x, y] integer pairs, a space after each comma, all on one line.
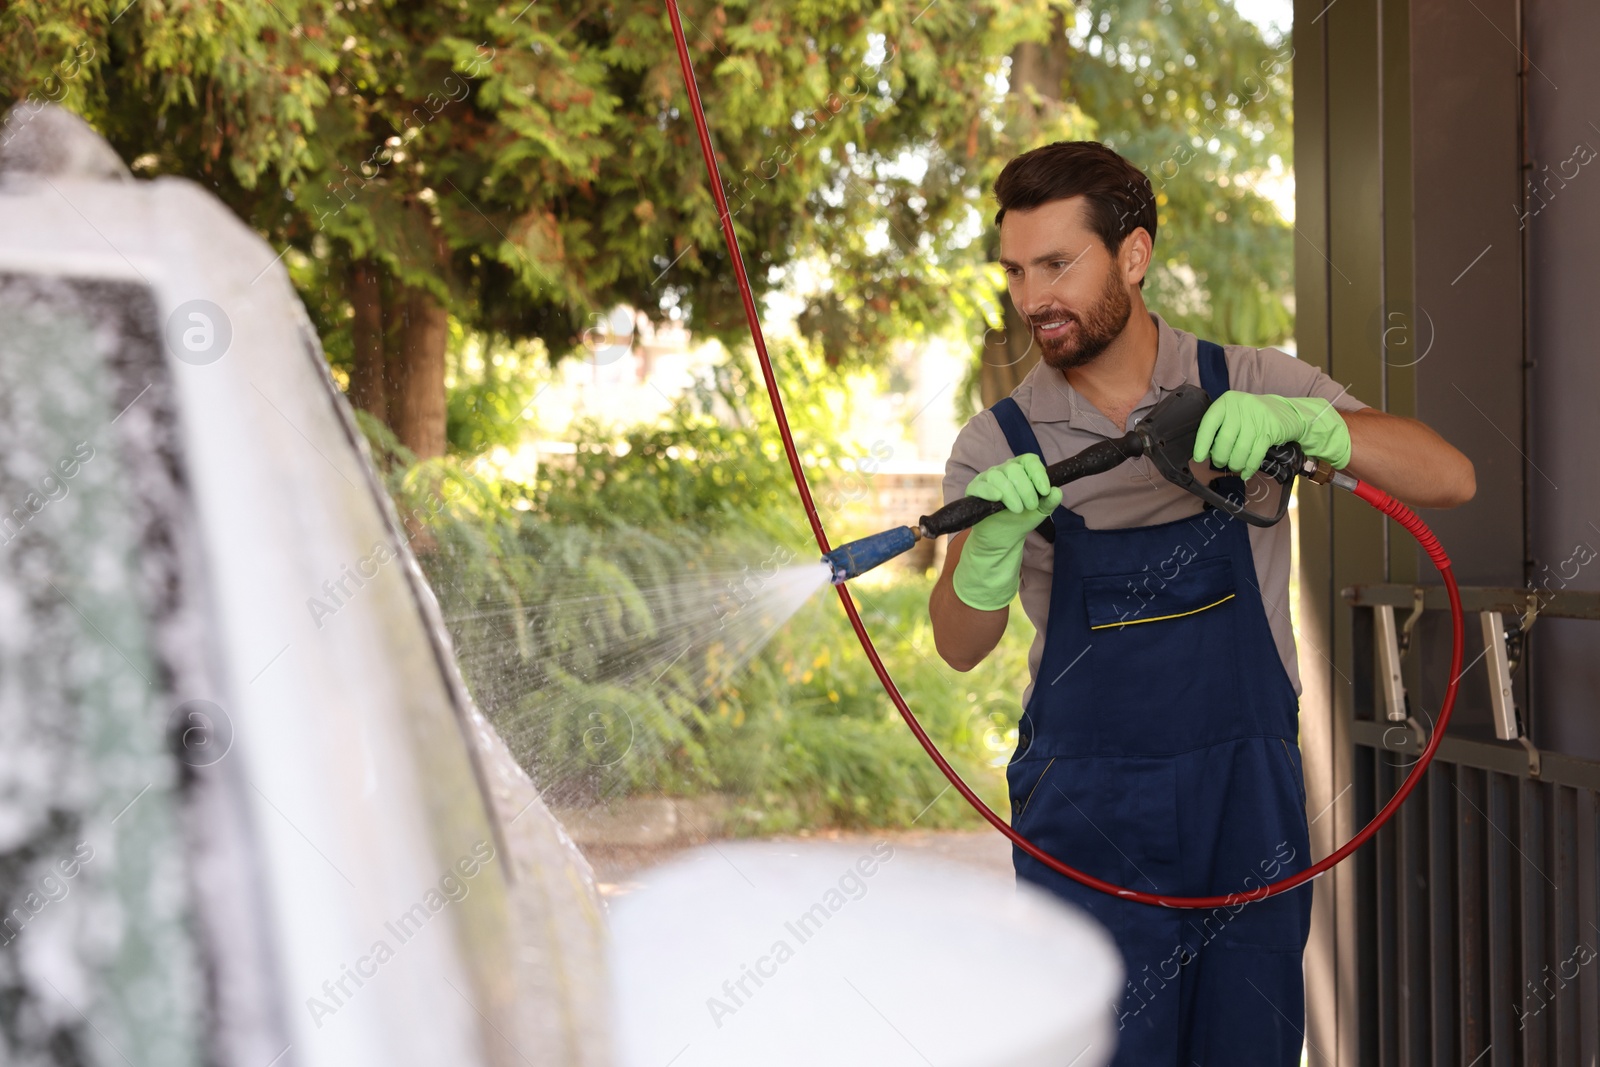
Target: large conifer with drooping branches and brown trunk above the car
[[527, 169]]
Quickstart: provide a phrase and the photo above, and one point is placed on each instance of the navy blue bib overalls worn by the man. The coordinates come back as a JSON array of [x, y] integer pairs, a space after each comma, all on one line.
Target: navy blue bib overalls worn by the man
[[1159, 753]]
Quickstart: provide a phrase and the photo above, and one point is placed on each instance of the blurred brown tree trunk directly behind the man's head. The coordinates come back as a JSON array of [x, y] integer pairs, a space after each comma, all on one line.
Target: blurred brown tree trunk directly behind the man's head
[[1038, 74]]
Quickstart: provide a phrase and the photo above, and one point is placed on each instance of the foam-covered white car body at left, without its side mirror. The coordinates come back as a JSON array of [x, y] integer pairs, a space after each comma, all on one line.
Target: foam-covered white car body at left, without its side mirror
[[249, 813]]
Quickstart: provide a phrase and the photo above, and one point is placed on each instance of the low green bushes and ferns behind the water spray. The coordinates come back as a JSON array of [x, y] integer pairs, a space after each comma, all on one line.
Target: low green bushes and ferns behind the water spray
[[582, 617]]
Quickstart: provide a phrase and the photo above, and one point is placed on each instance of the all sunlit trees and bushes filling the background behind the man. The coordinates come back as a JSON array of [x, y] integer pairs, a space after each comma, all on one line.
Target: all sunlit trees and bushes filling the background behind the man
[[492, 206]]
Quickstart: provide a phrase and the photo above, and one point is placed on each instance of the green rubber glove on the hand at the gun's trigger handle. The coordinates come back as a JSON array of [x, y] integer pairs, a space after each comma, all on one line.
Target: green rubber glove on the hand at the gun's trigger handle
[[1239, 428]]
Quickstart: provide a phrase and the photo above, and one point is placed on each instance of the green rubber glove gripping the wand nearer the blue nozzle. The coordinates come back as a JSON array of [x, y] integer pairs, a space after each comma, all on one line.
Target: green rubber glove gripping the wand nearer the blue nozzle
[[991, 567]]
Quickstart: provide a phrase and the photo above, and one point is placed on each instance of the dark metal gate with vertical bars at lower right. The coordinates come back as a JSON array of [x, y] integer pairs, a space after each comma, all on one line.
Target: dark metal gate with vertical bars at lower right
[[1479, 905]]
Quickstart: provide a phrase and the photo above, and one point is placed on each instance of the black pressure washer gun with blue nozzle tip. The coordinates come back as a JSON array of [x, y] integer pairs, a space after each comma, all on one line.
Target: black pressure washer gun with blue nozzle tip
[[1167, 436]]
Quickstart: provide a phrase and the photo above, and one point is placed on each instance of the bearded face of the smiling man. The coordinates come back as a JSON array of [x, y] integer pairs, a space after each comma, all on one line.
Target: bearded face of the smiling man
[[1074, 294]]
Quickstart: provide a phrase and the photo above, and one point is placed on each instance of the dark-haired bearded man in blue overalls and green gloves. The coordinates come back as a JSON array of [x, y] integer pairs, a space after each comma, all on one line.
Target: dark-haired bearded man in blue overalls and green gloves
[[1159, 741]]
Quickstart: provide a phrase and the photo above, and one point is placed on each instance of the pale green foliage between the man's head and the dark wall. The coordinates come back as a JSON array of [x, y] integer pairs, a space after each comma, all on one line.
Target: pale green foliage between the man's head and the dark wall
[[1204, 105]]
